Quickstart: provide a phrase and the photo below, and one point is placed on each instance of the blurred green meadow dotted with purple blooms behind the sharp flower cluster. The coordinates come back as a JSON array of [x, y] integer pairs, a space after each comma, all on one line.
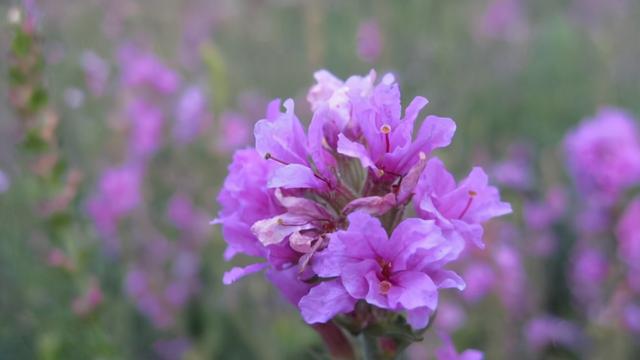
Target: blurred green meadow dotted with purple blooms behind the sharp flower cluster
[[119, 118]]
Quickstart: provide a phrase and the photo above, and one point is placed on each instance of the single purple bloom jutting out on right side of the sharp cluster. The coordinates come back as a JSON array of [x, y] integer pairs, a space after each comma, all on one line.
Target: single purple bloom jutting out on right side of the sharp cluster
[[459, 209]]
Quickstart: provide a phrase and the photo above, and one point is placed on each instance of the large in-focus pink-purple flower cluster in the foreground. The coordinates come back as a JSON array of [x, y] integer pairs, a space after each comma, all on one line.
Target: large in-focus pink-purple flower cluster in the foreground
[[325, 208]]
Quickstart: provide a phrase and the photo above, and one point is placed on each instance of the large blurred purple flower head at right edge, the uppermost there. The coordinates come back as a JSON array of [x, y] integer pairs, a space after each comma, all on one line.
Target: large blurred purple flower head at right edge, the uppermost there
[[603, 154]]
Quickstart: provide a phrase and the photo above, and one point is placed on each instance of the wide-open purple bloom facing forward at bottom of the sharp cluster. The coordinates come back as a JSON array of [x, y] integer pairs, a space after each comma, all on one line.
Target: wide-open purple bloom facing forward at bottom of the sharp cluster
[[402, 272]]
